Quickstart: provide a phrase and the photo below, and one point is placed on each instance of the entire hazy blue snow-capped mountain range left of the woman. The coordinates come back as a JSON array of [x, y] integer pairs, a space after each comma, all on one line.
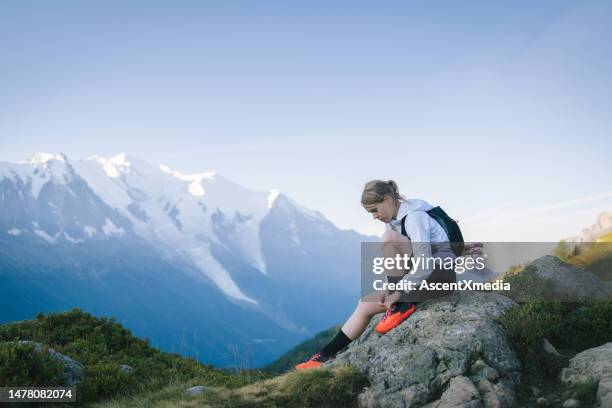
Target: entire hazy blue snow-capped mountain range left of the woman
[[259, 251]]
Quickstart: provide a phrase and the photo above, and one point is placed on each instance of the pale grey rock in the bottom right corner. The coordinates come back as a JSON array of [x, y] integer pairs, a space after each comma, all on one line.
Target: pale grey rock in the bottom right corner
[[592, 365]]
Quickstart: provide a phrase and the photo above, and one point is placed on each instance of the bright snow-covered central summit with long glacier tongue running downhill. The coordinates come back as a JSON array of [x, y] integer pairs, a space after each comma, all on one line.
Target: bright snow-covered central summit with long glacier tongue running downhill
[[178, 211]]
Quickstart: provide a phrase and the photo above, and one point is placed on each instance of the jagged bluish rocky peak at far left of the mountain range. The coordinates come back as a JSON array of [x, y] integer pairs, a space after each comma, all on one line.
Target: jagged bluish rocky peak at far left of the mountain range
[[44, 197]]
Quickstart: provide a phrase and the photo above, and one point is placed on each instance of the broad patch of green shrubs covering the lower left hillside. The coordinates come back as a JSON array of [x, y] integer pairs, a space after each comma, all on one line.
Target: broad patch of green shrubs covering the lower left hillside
[[101, 345]]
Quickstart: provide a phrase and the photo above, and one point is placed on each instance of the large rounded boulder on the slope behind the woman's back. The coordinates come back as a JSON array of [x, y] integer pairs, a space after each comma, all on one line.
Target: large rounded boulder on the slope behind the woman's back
[[568, 283]]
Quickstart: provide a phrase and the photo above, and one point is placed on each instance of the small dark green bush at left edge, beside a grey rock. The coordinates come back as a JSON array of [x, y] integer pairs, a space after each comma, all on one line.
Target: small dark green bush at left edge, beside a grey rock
[[21, 366]]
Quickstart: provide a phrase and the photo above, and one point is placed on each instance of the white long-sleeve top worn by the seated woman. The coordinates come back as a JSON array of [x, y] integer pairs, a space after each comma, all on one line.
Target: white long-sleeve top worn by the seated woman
[[422, 231]]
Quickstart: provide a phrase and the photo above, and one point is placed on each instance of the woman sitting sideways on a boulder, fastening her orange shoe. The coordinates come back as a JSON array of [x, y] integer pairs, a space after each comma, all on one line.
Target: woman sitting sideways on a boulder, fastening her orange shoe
[[409, 229]]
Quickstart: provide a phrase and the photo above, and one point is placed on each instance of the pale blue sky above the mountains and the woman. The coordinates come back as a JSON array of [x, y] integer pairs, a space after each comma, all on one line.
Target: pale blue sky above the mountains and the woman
[[498, 111]]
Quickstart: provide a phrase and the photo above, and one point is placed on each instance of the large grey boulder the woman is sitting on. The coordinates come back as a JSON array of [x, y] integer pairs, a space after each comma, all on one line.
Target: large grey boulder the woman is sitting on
[[450, 353]]
